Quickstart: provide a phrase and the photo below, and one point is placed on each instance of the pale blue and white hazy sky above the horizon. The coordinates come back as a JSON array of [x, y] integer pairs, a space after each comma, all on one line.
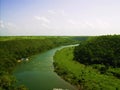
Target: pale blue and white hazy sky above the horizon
[[59, 17]]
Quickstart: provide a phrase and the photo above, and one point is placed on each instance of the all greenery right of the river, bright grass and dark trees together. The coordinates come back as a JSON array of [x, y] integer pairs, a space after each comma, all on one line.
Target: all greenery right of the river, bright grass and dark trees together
[[93, 65]]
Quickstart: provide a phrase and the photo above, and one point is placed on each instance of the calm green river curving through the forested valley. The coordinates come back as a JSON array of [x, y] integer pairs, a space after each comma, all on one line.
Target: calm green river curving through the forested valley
[[38, 73]]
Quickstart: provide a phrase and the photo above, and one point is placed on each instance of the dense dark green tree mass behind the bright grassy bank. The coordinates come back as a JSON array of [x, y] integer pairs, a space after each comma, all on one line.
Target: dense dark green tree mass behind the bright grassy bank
[[99, 50]]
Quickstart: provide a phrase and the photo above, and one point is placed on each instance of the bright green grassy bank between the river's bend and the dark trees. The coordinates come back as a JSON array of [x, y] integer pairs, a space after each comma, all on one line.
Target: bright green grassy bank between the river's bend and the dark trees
[[83, 77]]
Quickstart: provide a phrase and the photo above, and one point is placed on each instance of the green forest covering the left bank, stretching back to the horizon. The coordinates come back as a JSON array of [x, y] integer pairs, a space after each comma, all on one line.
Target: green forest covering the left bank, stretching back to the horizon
[[15, 48]]
